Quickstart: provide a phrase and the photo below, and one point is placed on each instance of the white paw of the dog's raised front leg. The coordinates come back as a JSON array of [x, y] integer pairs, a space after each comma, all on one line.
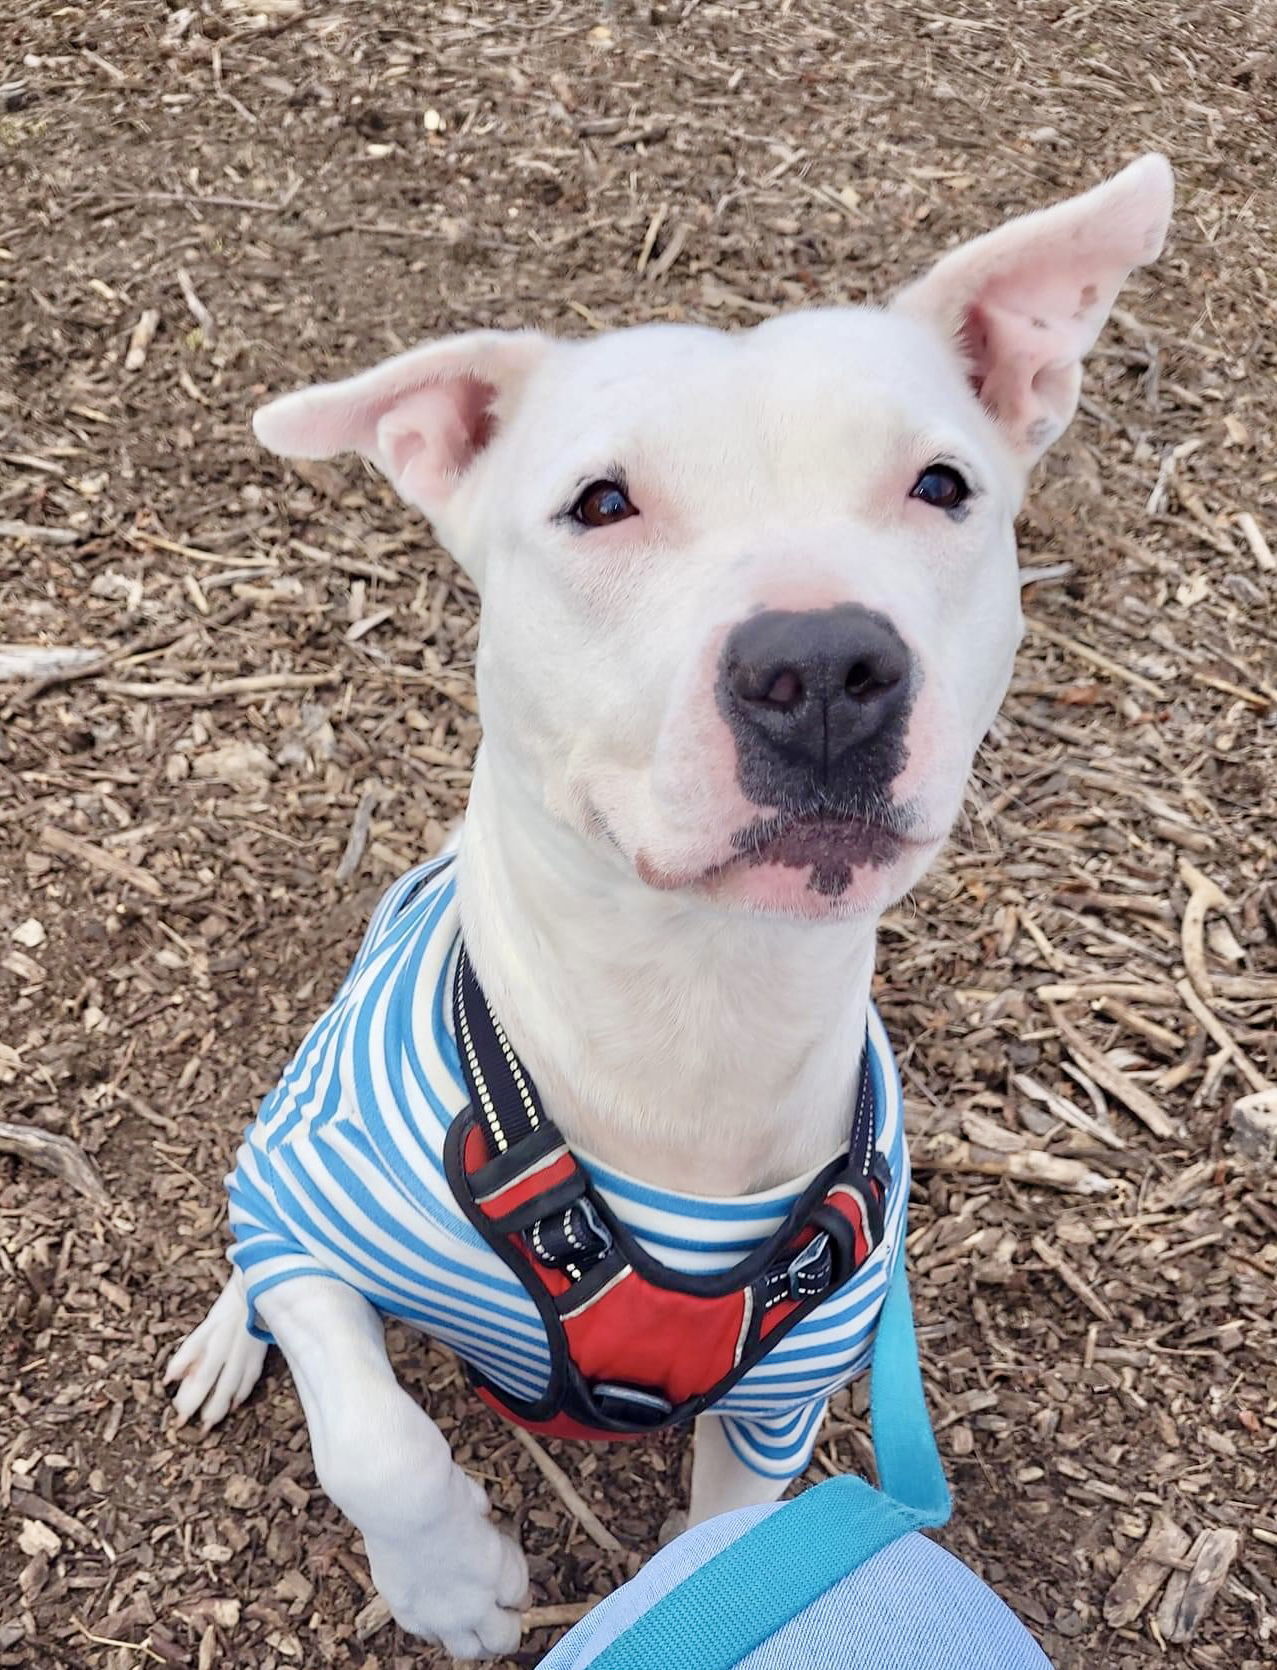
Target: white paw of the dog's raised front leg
[[463, 1589]]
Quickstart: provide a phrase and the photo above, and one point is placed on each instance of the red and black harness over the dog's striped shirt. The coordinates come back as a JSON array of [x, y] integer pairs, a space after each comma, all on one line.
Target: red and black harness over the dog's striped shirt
[[633, 1345]]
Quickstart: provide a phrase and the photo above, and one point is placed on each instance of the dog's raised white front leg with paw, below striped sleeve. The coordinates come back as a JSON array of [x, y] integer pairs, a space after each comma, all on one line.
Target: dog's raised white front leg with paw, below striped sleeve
[[438, 1562]]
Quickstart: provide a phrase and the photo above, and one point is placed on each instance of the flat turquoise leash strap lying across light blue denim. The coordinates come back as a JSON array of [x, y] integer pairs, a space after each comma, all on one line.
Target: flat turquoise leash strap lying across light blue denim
[[740, 1599]]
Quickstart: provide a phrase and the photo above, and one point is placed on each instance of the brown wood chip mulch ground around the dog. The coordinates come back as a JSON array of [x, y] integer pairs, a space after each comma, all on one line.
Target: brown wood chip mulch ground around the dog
[[208, 205]]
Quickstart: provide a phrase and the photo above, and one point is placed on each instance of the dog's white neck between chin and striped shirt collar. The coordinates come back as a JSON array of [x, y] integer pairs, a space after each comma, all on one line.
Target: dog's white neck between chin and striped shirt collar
[[702, 1051]]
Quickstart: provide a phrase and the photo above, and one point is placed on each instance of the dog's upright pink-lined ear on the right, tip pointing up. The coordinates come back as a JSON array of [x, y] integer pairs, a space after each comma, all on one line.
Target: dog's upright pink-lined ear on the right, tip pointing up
[[1026, 305]]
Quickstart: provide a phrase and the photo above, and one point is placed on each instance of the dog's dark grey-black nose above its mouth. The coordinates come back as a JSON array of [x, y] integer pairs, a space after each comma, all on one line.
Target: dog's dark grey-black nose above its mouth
[[820, 696]]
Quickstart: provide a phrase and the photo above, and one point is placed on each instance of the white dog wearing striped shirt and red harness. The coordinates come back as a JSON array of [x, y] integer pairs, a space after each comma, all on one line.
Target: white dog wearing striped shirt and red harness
[[749, 607]]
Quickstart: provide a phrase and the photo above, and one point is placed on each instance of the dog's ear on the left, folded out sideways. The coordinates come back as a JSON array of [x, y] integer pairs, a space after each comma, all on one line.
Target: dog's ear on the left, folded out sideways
[[423, 418]]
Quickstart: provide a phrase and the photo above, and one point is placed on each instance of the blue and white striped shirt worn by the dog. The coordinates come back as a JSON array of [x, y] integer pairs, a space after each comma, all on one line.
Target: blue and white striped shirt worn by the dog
[[343, 1177]]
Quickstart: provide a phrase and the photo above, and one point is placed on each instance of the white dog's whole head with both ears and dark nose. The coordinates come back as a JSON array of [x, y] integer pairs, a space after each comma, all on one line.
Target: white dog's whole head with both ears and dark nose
[[750, 600]]
